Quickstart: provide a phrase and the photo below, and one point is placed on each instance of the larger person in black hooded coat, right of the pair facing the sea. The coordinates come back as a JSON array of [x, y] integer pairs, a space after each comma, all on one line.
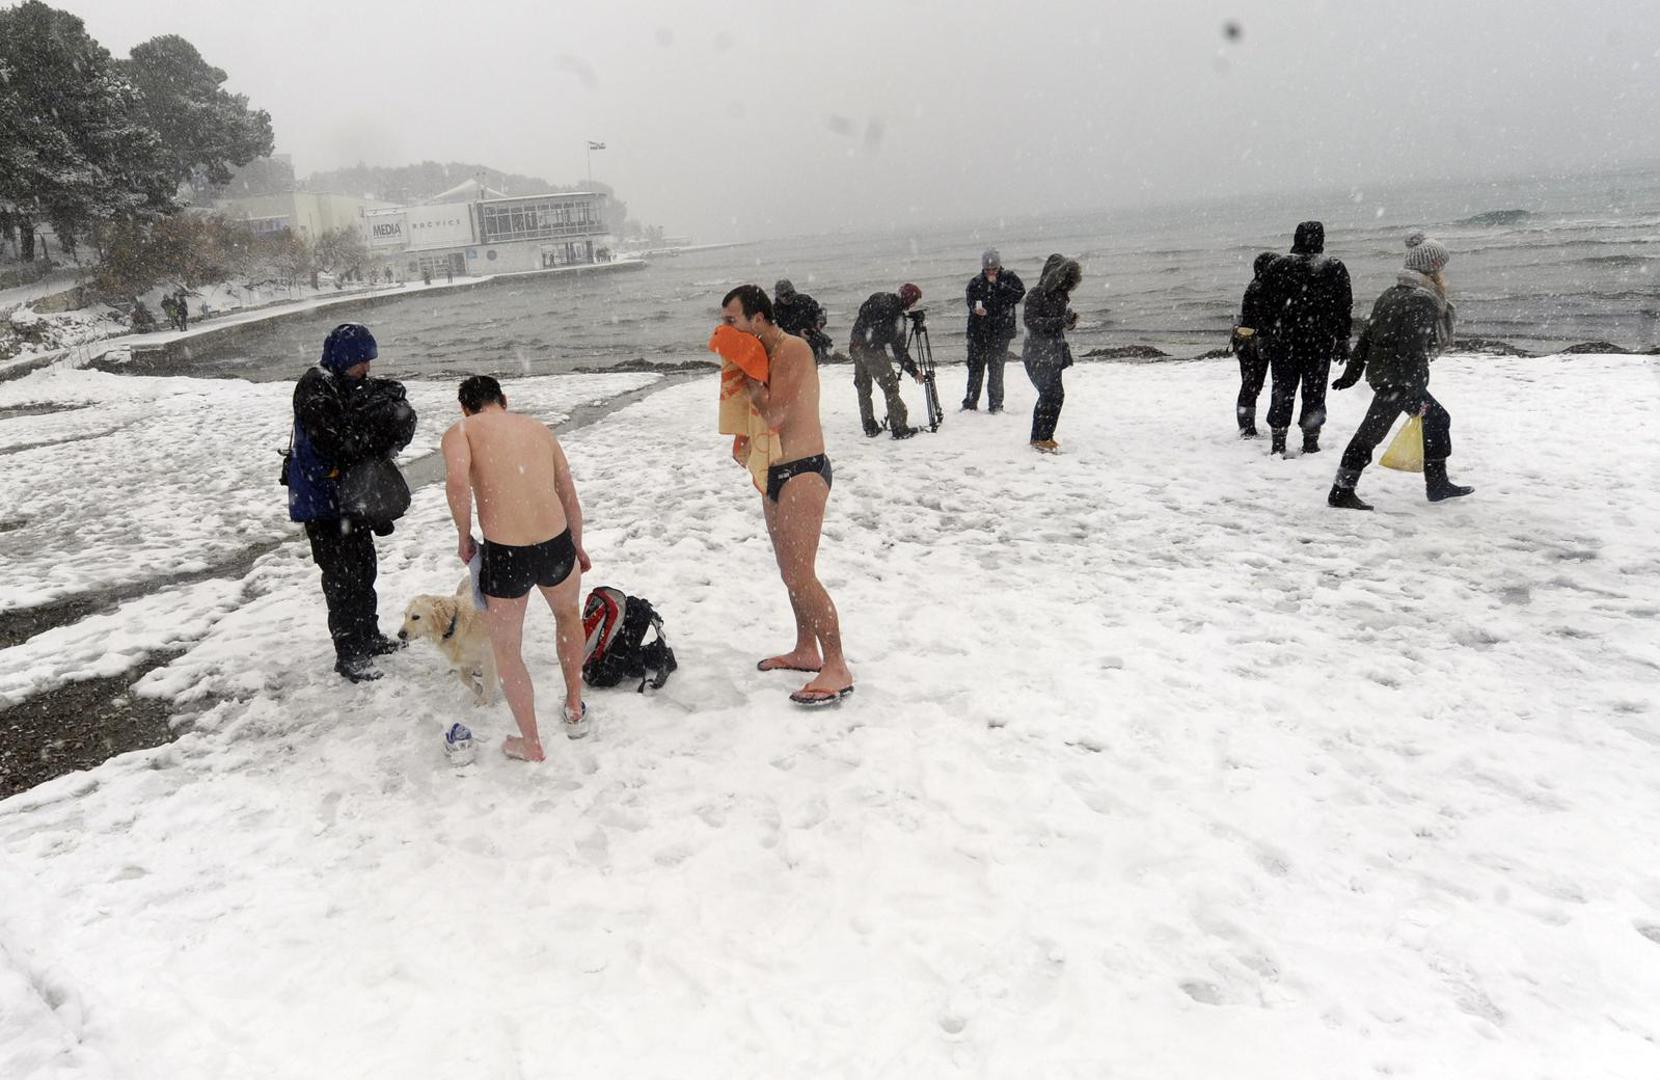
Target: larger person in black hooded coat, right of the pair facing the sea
[[1311, 306]]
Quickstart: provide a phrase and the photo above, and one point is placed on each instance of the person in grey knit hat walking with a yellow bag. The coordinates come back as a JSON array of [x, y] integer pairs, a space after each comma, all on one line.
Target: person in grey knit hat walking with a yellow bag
[[1410, 324]]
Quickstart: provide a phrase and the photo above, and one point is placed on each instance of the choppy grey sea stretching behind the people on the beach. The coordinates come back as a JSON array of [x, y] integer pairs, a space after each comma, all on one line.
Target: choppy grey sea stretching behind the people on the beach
[[1581, 265]]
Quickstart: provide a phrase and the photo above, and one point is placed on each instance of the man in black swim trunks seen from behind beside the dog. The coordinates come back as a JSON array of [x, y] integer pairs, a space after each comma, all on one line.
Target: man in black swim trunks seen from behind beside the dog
[[534, 537]]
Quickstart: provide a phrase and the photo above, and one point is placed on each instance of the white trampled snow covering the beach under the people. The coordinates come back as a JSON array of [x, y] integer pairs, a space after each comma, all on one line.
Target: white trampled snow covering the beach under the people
[[1158, 766]]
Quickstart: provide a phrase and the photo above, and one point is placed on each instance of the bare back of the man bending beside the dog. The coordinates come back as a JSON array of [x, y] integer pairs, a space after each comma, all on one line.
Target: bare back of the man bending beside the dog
[[515, 464]]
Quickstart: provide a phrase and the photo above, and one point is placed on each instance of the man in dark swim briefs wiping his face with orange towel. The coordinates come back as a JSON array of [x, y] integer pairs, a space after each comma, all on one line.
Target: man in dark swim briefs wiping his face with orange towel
[[794, 504]]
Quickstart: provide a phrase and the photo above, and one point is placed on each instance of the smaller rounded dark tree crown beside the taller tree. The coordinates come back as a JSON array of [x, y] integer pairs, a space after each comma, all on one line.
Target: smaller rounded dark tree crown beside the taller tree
[[205, 130]]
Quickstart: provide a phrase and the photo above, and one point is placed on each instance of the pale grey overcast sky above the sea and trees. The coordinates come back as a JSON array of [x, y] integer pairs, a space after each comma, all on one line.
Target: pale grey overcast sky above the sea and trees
[[768, 119]]
